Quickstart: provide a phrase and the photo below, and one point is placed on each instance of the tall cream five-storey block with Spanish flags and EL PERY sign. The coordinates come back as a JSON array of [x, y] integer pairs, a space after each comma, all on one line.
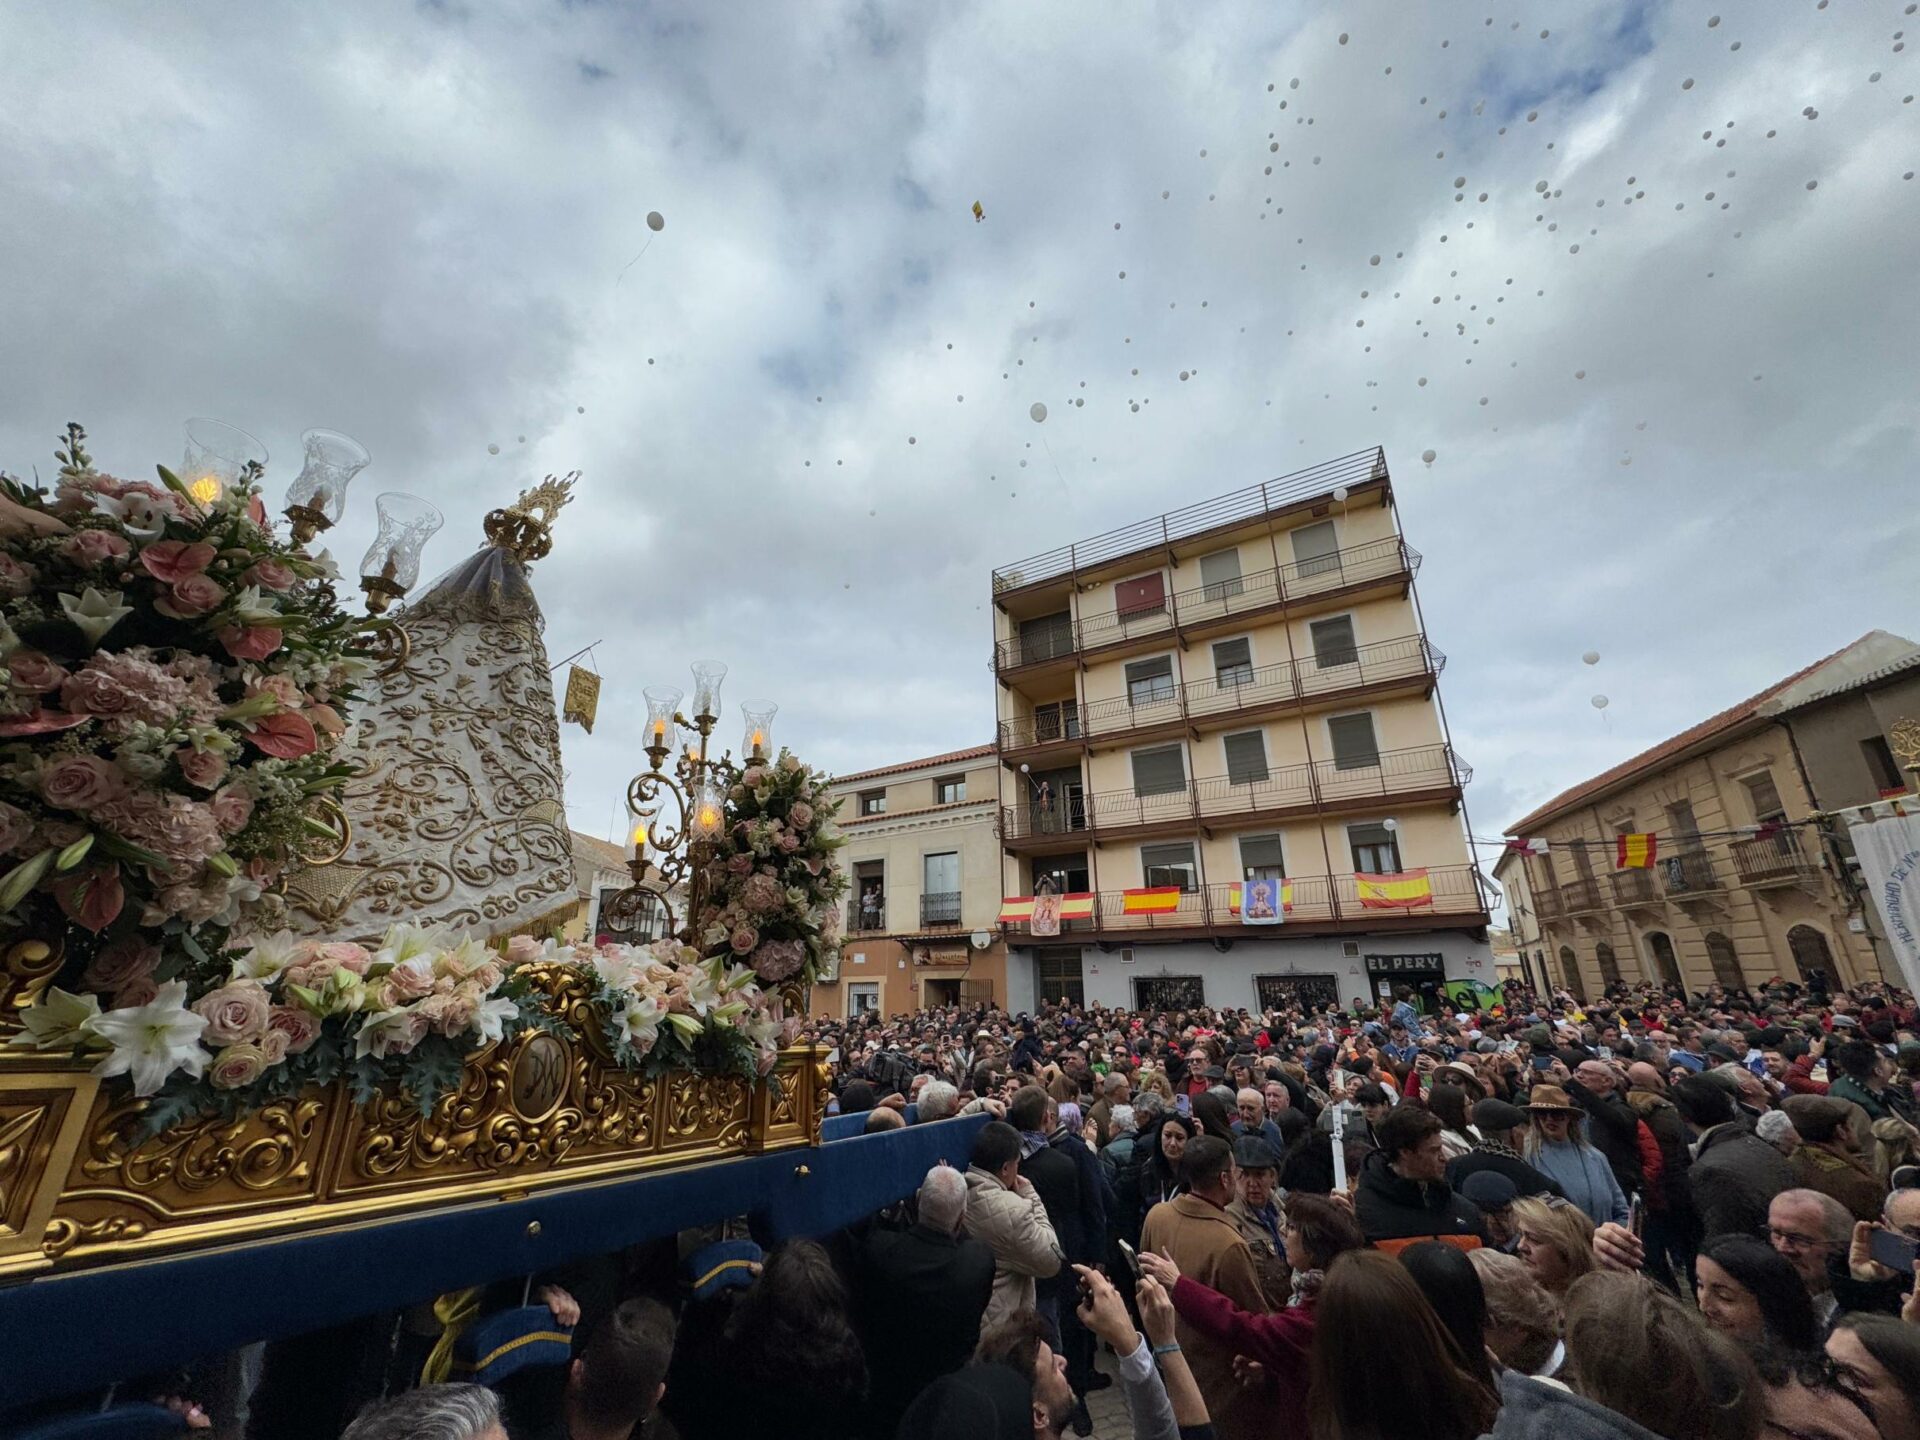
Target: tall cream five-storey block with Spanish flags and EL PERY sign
[[1234, 692]]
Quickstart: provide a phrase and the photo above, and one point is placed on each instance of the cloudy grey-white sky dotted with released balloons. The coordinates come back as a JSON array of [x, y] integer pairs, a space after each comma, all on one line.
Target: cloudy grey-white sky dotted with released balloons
[[1641, 276]]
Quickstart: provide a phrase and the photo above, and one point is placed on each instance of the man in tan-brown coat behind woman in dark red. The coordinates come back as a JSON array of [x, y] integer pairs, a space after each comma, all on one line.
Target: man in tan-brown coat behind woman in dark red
[[1197, 1234]]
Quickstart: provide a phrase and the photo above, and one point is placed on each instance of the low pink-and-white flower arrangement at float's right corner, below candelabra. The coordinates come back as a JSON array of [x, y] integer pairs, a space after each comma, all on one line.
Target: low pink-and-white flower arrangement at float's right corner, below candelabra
[[665, 1007]]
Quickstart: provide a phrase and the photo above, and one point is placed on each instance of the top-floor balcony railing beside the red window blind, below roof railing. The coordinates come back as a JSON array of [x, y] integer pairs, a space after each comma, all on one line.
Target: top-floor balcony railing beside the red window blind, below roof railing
[[1376, 560]]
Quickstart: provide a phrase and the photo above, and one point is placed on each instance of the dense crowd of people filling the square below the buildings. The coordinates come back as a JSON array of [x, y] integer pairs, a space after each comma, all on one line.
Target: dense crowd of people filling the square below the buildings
[[1668, 1216]]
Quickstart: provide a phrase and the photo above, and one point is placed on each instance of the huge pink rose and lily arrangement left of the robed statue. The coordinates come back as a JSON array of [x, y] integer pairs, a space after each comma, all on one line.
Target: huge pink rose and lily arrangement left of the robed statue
[[174, 696]]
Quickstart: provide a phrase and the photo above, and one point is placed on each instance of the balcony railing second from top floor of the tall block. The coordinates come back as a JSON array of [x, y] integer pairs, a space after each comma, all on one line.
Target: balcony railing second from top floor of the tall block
[[1236, 694]]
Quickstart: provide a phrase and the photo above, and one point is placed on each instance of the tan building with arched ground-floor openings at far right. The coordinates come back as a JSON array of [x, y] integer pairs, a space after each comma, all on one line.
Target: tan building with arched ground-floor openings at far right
[[1750, 878]]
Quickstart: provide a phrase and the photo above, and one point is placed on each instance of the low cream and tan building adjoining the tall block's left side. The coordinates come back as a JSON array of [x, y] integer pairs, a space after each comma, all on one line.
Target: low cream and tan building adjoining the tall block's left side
[[923, 863]]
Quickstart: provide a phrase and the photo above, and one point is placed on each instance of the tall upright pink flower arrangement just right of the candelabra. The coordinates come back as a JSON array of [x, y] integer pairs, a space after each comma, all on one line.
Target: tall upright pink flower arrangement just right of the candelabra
[[773, 880]]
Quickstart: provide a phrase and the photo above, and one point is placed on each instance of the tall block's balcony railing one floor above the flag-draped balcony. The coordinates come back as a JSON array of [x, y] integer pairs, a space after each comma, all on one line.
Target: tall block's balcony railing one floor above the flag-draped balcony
[[1324, 784]]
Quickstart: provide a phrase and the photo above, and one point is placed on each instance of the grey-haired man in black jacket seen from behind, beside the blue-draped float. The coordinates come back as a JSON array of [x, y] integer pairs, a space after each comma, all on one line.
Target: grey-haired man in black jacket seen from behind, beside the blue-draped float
[[921, 1297]]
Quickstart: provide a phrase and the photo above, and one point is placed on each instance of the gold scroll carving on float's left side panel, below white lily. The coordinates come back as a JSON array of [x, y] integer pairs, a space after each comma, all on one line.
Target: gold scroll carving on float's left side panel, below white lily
[[254, 1155]]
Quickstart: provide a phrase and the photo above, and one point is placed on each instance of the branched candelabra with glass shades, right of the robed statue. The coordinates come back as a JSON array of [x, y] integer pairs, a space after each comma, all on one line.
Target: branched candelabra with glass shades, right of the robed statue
[[683, 813]]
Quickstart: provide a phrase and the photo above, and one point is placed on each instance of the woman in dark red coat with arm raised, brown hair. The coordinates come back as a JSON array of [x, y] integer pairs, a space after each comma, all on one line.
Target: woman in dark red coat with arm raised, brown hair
[[1280, 1343]]
